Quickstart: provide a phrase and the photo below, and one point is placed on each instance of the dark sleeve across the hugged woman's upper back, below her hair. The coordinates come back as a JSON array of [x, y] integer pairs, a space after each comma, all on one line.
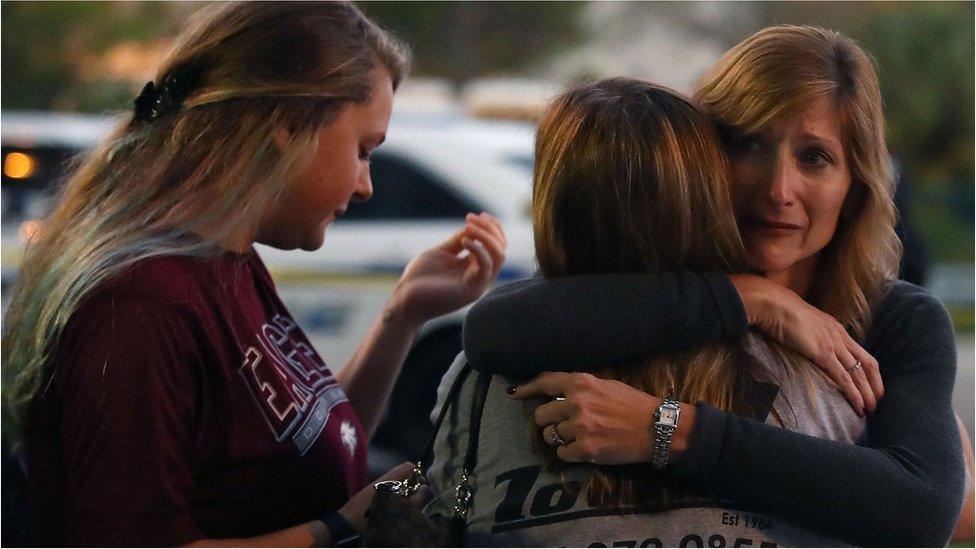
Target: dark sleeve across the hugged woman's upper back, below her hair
[[604, 318]]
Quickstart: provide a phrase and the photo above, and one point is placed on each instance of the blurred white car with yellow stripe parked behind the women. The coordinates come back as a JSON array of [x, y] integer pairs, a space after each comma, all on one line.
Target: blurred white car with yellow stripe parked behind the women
[[431, 171]]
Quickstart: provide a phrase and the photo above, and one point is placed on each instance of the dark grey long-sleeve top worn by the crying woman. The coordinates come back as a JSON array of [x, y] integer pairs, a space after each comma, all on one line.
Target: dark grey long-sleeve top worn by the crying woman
[[902, 484]]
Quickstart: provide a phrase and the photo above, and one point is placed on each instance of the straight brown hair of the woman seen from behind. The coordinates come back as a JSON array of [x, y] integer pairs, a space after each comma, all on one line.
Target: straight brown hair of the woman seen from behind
[[631, 177]]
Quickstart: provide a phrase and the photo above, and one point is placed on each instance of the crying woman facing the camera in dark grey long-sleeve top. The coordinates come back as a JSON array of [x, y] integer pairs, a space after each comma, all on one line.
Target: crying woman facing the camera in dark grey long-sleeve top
[[800, 112]]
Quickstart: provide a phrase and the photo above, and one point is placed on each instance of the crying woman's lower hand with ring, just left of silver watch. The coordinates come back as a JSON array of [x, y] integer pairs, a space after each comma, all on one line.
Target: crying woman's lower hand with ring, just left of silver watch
[[601, 420]]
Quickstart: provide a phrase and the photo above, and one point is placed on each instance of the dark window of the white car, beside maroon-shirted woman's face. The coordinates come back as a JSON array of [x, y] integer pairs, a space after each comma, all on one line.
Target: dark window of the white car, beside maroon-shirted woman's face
[[404, 190]]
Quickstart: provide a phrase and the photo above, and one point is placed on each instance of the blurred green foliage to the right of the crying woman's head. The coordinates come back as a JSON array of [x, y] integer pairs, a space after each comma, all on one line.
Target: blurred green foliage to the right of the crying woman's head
[[925, 55]]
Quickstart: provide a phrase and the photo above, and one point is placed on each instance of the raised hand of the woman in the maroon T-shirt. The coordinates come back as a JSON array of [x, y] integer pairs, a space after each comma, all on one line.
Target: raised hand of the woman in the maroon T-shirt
[[445, 278]]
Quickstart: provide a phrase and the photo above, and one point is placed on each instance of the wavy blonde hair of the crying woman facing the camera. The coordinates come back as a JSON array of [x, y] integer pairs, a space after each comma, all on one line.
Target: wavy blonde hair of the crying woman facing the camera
[[774, 74]]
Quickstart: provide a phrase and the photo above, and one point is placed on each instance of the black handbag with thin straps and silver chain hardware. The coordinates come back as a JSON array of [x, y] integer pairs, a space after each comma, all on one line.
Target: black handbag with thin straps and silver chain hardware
[[393, 520]]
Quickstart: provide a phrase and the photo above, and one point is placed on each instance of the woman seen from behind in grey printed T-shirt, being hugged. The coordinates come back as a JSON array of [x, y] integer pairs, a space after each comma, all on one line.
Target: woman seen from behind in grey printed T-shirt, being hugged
[[618, 163]]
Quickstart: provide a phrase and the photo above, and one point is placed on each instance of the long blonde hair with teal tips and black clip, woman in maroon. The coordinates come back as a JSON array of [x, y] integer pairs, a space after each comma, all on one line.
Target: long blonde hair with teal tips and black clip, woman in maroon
[[207, 168]]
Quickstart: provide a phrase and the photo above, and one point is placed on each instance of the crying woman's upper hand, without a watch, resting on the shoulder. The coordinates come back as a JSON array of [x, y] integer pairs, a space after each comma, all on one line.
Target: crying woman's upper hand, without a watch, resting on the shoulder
[[786, 317]]
